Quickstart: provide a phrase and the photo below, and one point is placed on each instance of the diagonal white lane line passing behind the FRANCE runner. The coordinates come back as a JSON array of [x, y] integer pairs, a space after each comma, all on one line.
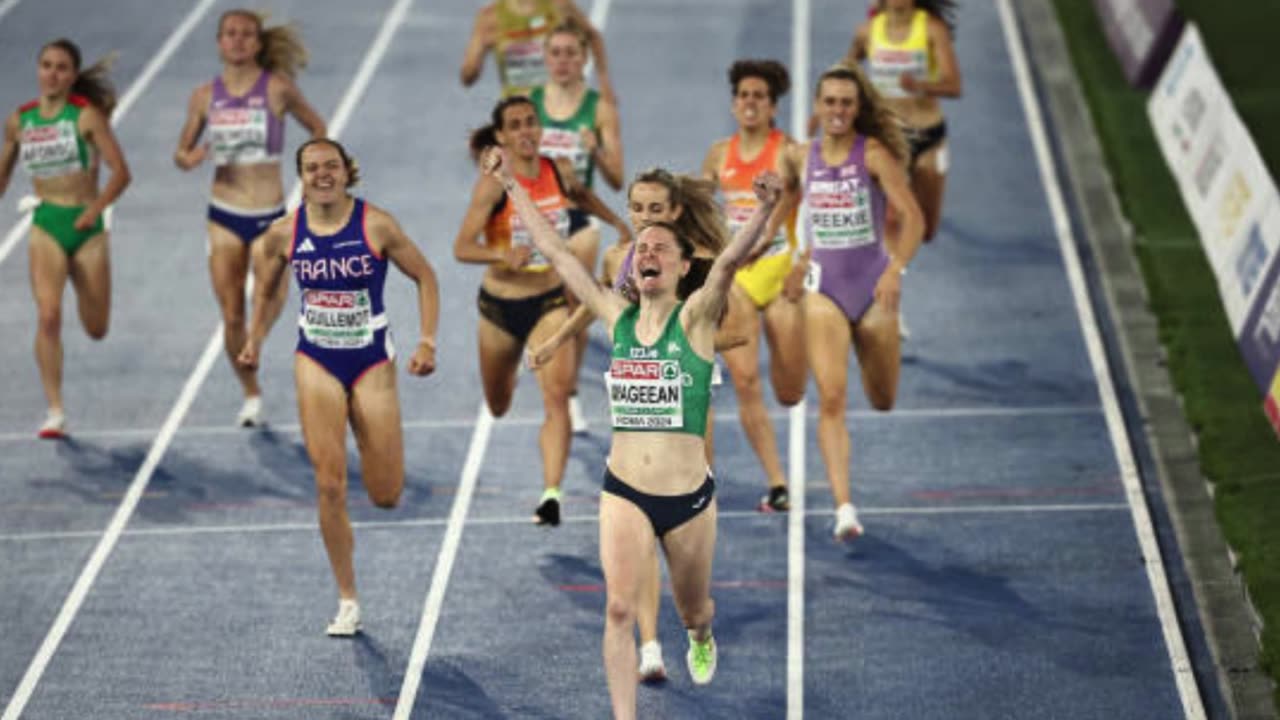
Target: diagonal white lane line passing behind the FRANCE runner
[[72, 605]]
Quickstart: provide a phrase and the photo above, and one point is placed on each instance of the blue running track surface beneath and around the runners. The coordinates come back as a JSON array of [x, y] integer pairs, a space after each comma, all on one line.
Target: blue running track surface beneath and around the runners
[[1000, 576]]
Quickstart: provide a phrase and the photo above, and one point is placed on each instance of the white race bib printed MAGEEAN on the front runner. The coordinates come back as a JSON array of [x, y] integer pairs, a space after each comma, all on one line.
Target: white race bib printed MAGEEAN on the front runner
[[646, 394]]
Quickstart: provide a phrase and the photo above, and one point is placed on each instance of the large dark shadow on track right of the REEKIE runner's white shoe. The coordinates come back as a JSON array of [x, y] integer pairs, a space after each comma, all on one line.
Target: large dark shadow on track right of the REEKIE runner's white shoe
[[1077, 631]]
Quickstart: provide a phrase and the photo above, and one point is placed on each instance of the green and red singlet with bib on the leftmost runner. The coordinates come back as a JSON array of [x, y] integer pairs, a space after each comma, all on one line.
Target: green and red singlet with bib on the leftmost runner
[[52, 148]]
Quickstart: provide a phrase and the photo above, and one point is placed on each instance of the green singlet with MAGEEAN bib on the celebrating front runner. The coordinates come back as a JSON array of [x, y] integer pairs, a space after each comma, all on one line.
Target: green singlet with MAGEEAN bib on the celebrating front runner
[[665, 386]]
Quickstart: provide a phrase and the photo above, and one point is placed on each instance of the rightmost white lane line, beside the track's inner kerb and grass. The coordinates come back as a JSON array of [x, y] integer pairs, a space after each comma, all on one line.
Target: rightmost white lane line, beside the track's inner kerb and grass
[[1181, 664]]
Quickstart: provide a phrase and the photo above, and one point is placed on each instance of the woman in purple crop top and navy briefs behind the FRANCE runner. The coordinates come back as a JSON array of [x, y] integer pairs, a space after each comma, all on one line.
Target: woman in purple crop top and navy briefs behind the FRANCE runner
[[241, 113]]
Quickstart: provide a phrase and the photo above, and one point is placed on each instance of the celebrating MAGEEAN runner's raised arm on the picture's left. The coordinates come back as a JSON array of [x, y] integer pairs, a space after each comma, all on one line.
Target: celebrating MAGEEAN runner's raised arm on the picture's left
[[605, 304]]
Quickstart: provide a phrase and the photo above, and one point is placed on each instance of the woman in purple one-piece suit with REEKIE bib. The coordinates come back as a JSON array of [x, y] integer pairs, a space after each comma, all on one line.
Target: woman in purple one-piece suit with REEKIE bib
[[854, 271]]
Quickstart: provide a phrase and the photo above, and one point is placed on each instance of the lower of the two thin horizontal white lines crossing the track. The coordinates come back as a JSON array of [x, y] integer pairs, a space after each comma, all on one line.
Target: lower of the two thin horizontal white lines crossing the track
[[569, 520]]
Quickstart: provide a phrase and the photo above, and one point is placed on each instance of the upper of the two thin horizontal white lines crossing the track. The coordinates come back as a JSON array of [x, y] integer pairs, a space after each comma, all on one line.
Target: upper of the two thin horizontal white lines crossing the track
[[794, 471]]
